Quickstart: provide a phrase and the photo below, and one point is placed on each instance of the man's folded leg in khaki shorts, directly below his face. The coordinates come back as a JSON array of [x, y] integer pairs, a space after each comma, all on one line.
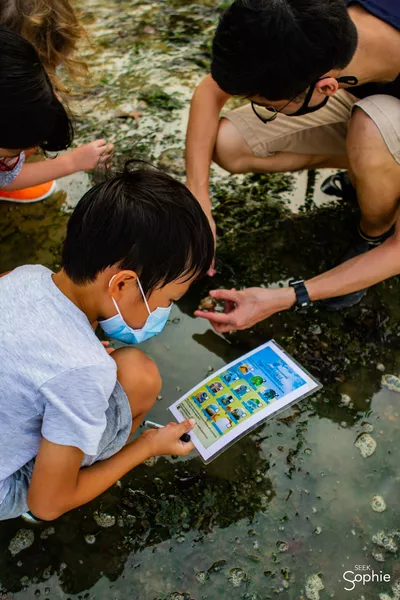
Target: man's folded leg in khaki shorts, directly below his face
[[245, 144]]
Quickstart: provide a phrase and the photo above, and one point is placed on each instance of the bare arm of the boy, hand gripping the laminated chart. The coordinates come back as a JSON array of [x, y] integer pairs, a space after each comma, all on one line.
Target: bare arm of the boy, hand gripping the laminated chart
[[59, 485]]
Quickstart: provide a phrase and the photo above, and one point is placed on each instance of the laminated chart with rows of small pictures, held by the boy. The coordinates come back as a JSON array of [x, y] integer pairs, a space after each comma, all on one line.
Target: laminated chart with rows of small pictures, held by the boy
[[242, 395]]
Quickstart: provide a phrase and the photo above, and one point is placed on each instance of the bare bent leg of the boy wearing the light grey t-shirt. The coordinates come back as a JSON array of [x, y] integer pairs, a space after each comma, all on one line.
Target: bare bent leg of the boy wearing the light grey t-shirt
[[140, 379]]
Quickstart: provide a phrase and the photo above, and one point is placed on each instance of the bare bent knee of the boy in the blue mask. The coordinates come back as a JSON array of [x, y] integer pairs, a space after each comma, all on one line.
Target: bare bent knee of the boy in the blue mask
[[137, 373]]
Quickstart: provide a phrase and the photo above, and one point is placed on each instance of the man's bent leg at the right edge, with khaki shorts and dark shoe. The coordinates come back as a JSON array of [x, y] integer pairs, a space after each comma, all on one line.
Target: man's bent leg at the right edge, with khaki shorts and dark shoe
[[373, 148]]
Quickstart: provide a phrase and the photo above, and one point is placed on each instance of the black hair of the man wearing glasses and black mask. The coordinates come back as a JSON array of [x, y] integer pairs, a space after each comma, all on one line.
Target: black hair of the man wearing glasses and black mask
[[277, 48]]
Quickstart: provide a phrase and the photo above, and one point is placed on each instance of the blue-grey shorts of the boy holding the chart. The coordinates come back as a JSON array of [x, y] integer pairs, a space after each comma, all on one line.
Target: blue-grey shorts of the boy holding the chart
[[115, 436]]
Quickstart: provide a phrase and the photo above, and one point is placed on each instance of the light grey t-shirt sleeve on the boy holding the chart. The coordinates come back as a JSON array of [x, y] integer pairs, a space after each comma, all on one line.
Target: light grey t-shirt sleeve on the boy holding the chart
[[74, 406]]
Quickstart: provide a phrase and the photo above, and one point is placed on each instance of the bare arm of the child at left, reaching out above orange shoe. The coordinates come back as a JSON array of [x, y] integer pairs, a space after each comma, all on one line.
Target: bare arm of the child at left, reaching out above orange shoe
[[80, 159]]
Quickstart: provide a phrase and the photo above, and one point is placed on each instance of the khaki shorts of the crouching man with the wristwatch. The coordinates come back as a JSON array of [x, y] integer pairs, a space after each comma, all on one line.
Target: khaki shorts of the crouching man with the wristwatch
[[322, 132]]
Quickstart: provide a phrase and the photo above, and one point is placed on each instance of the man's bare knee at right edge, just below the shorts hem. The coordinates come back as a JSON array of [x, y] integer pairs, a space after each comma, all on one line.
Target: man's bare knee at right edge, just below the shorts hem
[[366, 148]]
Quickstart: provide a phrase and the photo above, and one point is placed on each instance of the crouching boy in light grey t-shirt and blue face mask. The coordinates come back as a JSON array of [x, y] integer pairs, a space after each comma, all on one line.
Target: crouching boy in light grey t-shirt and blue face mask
[[134, 245]]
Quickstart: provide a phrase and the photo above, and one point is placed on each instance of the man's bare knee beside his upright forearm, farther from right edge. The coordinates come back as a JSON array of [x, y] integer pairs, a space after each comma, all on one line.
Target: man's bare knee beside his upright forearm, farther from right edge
[[231, 151]]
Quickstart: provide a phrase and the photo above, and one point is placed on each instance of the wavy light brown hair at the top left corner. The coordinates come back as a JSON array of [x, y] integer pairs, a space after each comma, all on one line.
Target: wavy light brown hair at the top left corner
[[53, 28]]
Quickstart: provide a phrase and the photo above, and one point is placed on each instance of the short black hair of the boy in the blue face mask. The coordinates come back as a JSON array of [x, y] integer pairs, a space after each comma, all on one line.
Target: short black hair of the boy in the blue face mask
[[141, 220]]
